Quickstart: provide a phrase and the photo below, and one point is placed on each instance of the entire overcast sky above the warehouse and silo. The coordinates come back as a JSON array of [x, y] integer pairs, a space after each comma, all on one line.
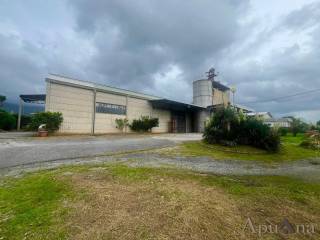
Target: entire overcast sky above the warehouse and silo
[[267, 49]]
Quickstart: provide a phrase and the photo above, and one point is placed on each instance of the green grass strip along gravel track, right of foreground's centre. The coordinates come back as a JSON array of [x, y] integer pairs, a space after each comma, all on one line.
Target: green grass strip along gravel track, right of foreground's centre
[[253, 187]]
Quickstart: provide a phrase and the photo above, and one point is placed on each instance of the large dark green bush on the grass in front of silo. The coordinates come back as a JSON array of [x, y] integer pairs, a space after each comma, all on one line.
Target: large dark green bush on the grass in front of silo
[[226, 126]]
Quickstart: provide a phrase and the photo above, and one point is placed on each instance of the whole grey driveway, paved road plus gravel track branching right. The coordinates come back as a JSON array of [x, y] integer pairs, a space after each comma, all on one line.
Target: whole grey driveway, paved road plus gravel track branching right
[[21, 152]]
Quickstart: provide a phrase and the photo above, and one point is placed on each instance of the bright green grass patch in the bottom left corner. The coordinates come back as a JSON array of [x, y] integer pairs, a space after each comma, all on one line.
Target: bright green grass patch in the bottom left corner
[[30, 207]]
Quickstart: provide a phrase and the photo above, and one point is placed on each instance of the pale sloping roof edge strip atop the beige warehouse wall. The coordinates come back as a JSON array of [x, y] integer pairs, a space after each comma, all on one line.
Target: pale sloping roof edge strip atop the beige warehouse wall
[[100, 87]]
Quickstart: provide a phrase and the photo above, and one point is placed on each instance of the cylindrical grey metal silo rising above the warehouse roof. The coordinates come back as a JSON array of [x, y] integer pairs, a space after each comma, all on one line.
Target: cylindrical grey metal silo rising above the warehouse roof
[[202, 92]]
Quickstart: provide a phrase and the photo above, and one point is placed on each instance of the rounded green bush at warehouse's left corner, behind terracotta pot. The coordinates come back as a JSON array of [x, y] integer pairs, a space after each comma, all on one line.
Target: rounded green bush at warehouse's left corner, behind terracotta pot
[[52, 120]]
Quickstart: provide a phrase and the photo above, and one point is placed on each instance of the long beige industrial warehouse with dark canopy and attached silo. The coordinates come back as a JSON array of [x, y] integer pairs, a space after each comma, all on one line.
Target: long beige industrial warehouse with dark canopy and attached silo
[[93, 108]]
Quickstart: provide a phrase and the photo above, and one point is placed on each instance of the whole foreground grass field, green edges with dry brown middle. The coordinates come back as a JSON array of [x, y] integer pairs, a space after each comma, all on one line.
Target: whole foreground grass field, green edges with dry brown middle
[[118, 202]]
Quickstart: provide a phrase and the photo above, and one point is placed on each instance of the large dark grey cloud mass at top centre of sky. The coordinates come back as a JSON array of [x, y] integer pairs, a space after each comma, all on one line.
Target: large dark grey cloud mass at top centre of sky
[[151, 35]]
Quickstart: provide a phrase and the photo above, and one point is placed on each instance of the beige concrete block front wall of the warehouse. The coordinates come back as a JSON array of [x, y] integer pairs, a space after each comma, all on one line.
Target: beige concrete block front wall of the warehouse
[[77, 106]]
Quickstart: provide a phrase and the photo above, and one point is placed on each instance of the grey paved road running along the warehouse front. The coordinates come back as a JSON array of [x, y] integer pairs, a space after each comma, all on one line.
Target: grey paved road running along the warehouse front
[[19, 151]]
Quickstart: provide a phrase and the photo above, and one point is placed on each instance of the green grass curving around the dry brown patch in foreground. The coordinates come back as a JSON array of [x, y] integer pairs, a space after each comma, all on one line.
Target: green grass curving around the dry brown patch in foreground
[[32, 207]]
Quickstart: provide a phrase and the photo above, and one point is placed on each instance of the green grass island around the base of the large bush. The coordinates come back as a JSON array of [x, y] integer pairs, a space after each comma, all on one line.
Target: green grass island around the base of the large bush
[[290, 150]]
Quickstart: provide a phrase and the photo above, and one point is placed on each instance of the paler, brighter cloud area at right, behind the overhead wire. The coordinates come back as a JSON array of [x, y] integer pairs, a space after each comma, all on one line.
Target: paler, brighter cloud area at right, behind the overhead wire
[[283, 71]]
